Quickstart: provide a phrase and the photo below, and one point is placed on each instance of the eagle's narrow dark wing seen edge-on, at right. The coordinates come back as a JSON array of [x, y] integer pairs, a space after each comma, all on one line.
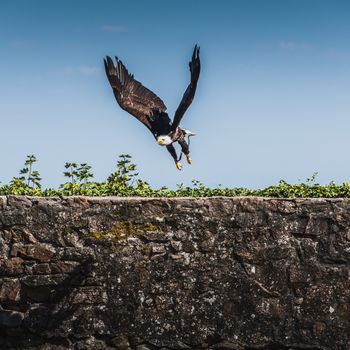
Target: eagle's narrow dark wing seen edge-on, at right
[[195, 67]]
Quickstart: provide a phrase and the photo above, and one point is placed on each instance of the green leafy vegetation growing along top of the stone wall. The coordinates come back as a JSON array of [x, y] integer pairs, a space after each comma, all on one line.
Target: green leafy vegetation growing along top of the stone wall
[[124, 182]]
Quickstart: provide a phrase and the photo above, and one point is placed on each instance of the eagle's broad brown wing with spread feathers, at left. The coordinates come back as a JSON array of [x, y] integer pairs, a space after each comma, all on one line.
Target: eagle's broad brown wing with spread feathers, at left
[[131, 95]]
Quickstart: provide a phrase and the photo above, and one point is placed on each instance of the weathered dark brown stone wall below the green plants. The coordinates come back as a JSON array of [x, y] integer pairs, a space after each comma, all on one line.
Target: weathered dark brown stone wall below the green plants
[[179, 273]]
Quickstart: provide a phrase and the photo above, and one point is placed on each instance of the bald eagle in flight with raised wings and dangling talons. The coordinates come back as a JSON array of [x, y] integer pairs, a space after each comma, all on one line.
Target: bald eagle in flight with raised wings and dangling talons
[[149, 109]]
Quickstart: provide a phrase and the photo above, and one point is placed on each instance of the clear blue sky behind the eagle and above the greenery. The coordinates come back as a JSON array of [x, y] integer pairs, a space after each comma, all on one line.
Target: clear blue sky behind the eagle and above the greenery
[[272, 100]]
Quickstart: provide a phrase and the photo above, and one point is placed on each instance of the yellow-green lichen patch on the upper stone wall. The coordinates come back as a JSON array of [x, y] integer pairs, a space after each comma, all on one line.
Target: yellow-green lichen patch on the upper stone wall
[[124, 229]]
